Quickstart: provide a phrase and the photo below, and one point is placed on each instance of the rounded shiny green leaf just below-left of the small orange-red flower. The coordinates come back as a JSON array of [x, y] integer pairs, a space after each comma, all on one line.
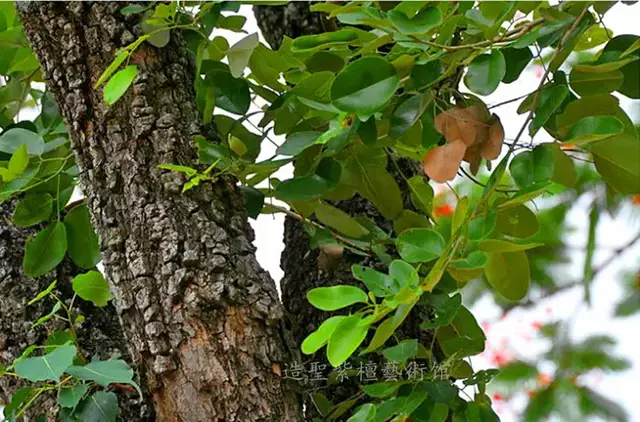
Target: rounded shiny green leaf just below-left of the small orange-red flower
[[420, 245]]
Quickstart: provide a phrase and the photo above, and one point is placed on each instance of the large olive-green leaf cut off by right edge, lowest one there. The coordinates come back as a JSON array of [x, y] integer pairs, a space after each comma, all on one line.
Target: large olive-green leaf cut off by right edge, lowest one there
[[616, 160]]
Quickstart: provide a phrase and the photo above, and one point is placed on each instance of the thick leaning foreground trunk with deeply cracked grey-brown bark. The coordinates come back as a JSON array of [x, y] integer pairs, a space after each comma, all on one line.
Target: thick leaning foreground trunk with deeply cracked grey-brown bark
[[201, 318]]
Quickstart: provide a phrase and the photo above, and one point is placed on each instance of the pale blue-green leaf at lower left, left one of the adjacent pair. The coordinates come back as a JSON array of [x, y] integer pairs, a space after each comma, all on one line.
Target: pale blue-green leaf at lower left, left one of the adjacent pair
[[48, 367]]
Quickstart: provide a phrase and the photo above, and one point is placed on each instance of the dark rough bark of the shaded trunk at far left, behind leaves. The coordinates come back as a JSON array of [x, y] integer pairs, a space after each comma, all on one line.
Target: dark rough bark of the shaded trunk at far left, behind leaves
[[100, 336]]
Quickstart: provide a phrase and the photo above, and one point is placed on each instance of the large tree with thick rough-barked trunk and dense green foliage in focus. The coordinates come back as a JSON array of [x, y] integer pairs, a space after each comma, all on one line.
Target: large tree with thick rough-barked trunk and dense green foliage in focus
[[368, 100]]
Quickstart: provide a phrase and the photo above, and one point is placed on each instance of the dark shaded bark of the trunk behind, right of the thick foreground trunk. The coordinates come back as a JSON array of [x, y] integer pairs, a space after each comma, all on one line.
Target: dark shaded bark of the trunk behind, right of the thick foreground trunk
[[299, 262]]
